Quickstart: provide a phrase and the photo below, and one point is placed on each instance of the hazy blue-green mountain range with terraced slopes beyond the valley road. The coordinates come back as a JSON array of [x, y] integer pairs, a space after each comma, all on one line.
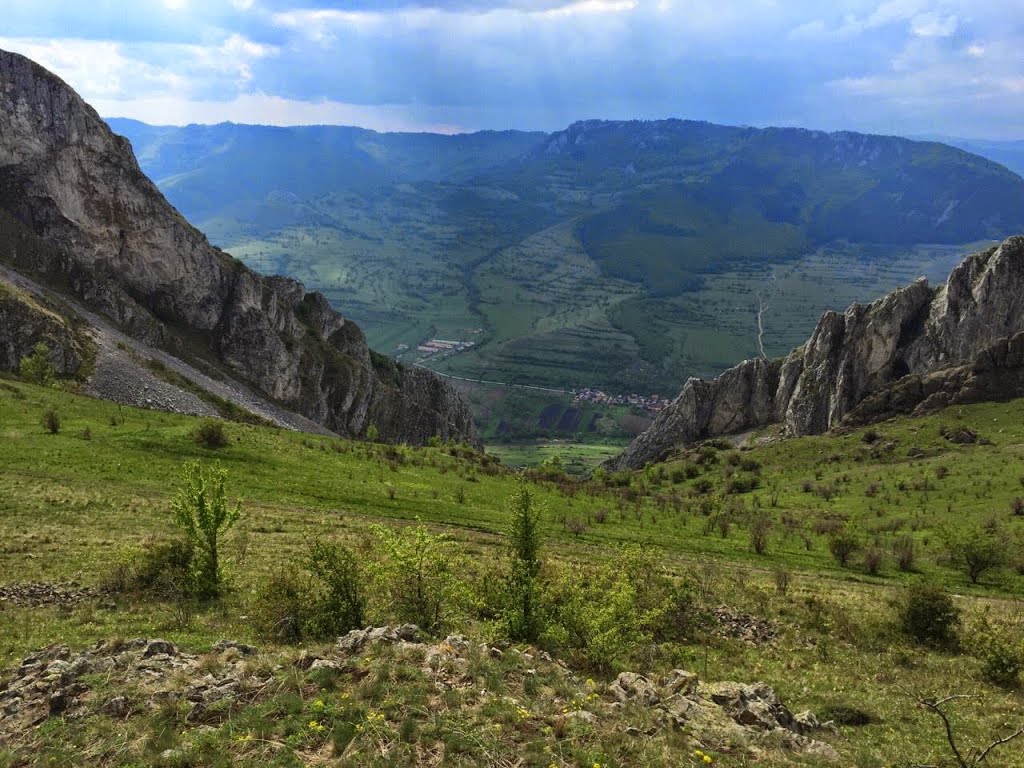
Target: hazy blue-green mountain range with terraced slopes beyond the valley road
[[624, 255]]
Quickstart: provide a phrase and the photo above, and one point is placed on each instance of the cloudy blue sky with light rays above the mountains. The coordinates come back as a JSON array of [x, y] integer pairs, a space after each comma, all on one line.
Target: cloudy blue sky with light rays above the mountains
[[908, 67]]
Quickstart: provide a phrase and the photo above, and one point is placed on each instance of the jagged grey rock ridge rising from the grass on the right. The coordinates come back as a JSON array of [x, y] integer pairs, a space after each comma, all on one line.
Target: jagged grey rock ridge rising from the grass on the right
[[916, 350]]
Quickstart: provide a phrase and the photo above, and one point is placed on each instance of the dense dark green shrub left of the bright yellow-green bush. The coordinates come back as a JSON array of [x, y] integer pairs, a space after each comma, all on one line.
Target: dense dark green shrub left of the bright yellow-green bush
[[337, 603]]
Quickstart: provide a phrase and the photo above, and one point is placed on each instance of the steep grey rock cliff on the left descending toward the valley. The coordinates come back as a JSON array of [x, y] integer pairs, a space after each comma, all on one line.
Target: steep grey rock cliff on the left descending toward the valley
[[113, 242]]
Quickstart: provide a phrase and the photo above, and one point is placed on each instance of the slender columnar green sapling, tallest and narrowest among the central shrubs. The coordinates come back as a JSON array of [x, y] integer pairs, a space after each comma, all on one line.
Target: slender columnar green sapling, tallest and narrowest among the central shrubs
[[524, 615]]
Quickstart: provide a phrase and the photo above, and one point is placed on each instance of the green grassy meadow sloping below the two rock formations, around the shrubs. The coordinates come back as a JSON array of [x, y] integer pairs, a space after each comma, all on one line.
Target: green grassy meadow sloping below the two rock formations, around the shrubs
[[98, 493]]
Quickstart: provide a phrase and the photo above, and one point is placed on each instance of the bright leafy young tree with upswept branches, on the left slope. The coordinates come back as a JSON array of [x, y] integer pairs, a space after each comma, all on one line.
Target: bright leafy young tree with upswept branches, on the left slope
[[201, 510]]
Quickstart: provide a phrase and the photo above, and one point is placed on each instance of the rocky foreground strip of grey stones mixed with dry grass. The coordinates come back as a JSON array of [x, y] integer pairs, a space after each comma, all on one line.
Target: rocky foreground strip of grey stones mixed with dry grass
[[126, 680]]
